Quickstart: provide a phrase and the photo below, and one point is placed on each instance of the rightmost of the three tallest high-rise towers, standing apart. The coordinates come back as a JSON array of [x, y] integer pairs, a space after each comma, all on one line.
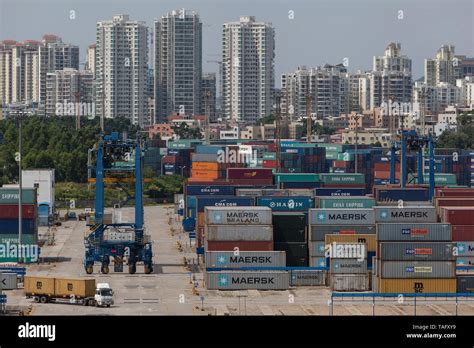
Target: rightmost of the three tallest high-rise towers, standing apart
[[248, 52]]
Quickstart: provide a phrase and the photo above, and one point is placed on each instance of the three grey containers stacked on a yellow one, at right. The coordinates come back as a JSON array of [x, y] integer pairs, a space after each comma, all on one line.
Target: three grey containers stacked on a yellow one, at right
[[415, 258]]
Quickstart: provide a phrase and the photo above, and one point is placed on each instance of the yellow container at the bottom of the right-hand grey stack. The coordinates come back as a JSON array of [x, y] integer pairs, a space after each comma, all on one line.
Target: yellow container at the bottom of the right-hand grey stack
[[419, 285]]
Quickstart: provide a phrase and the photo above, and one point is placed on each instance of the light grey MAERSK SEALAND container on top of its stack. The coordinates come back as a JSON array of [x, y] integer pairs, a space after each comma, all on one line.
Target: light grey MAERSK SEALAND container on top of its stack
[[237, 216]]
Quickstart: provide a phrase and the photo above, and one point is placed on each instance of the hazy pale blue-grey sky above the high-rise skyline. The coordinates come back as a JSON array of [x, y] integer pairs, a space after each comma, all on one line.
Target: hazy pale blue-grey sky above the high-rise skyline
[[322, 31]]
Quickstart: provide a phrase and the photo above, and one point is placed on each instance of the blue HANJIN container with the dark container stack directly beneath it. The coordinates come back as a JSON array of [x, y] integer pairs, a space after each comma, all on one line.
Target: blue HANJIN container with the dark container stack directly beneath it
[[290, 226]]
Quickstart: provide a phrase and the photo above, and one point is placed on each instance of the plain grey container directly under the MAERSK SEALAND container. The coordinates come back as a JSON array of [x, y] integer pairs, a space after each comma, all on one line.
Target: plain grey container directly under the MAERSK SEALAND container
[[238, 232]]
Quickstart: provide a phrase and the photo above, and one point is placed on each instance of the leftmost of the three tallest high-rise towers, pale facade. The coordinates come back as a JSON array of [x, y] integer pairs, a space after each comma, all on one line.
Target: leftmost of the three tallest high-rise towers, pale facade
[[121, 69]]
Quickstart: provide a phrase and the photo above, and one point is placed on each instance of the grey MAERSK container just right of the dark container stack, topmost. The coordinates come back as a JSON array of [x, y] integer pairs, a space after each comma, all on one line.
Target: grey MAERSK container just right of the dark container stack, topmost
[[341, 217]]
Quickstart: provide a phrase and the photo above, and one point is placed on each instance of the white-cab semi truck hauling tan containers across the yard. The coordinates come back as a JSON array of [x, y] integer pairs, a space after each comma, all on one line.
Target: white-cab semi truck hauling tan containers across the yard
[[67, 290]]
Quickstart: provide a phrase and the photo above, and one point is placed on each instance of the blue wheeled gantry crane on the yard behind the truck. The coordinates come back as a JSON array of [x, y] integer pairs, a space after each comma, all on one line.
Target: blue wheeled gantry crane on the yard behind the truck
[[119, 242]]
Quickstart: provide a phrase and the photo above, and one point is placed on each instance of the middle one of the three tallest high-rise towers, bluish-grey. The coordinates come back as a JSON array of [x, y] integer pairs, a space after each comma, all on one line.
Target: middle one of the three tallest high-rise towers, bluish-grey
[[178, 64]]
